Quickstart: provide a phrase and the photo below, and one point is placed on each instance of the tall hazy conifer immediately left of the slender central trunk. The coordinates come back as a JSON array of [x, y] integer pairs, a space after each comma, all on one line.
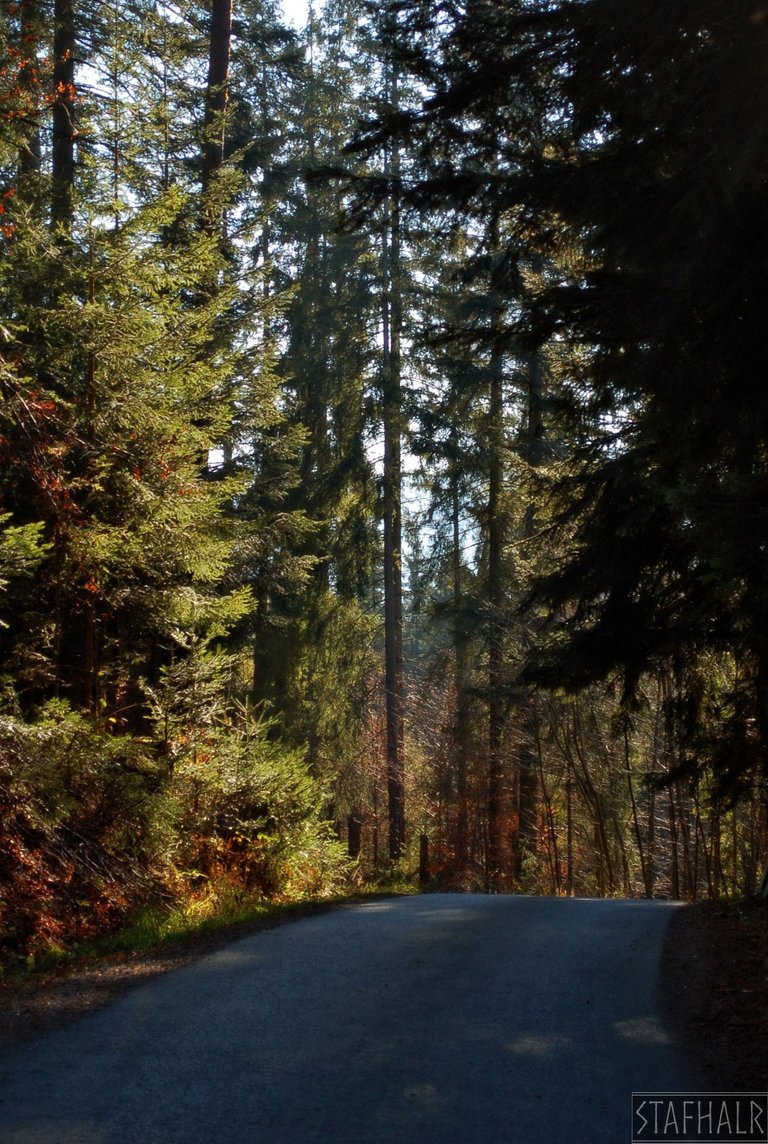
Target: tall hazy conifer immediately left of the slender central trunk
[[311, 499]]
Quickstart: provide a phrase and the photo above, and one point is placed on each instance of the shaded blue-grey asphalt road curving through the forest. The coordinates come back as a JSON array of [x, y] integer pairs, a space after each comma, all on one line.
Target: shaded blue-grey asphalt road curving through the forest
[[440, 1020]]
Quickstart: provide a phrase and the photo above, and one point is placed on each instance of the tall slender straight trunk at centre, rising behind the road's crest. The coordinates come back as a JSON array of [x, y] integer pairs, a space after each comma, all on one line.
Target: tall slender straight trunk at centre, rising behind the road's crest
[[393, 525]]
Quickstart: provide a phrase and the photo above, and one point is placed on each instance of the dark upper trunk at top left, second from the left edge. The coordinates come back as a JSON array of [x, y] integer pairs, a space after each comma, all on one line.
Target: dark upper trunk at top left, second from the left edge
[[64, 114]]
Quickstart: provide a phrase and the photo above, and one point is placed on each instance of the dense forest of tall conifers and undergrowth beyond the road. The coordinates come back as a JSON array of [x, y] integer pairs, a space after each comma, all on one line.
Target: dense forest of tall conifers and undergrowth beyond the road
[[384, 452]]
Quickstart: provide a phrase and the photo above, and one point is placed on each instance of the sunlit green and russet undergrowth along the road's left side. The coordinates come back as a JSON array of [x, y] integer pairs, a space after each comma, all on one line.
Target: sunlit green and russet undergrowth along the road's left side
[[107, 838]]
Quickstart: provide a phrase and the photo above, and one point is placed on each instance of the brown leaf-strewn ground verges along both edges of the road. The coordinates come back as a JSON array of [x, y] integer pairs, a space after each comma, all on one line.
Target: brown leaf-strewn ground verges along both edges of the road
[[714, 988]]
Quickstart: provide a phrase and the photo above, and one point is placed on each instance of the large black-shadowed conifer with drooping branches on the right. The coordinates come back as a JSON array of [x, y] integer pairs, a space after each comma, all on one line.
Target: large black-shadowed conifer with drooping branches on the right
[[645, 219]]
